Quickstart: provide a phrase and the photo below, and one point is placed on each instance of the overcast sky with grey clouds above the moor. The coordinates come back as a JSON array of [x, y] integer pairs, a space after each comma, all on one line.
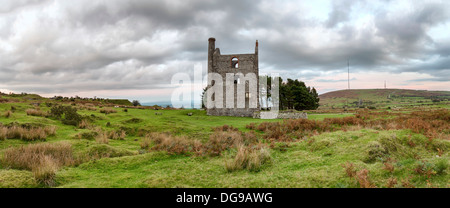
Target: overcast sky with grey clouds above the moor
[[131, 49]]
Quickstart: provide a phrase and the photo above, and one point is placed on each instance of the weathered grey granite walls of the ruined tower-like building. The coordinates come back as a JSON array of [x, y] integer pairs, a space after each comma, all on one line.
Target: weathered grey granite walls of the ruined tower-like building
[[234, 63]]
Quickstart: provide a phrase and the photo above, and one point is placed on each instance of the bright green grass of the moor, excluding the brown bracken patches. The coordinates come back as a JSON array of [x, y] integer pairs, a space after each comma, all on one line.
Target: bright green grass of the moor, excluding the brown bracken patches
[[316, 159]]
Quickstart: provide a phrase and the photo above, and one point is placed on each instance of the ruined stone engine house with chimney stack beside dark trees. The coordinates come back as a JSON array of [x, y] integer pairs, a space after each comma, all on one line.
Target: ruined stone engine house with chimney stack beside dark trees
[[240, 65]]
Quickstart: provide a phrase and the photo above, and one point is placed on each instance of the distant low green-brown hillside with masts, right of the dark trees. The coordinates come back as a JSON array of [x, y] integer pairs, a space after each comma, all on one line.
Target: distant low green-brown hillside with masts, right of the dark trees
[[383, 98]]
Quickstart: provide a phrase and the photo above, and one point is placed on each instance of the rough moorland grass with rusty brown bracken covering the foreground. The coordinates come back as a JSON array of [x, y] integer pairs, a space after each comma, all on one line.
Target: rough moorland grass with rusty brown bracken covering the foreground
[[385, 148]]
